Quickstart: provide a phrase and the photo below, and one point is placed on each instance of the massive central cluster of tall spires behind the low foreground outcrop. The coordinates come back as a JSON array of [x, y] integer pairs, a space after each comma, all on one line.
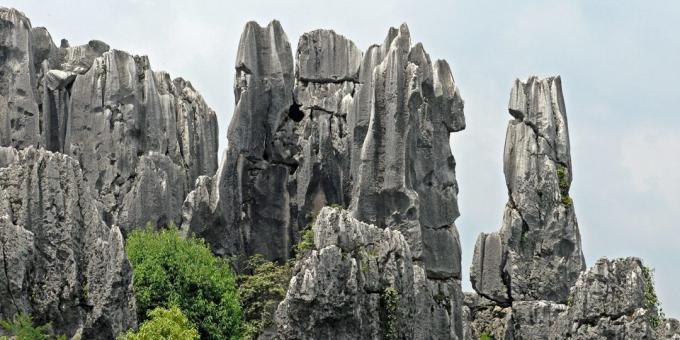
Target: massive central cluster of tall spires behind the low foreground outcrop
[[366, 132]]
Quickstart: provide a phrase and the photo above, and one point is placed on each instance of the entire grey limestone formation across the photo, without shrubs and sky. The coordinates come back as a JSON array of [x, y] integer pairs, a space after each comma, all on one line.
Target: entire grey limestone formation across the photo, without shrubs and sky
[[350, 145]]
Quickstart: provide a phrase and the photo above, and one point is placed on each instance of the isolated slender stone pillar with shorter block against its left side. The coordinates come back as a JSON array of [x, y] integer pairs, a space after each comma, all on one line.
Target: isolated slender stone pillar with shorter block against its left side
[[537, 254]]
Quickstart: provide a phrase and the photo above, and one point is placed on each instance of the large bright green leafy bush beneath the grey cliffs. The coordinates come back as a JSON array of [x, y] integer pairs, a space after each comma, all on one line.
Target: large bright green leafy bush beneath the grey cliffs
[[172, 271]]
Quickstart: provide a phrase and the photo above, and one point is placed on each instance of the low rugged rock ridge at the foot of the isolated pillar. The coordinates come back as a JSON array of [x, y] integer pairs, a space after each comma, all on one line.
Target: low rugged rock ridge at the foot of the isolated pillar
[[610, 300]]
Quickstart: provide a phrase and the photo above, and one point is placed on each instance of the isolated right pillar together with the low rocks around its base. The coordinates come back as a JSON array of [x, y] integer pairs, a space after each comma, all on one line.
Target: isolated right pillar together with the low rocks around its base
[[529, 277]]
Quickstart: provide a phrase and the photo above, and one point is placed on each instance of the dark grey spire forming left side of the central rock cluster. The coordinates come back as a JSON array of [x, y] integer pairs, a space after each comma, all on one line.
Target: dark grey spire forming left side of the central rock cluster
[[247, 203]]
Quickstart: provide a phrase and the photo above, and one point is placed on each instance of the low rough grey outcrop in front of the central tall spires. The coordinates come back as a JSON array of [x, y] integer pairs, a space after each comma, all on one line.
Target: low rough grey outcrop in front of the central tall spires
[[358, 283]]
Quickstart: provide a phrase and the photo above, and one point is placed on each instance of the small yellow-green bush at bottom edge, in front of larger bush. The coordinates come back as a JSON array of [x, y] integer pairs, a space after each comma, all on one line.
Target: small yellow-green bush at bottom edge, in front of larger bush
[[162, 323]]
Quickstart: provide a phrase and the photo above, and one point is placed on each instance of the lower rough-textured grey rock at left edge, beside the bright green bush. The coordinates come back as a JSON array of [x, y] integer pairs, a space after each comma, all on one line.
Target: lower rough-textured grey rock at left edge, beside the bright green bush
[[62, 263]]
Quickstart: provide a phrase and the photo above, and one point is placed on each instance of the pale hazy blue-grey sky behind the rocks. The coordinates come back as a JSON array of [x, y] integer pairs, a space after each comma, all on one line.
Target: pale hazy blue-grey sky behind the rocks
[[620, 68]]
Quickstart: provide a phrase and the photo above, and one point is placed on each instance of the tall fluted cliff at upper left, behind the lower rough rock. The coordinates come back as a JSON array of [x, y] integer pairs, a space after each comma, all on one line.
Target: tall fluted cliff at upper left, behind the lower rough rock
[[141, 138]]
